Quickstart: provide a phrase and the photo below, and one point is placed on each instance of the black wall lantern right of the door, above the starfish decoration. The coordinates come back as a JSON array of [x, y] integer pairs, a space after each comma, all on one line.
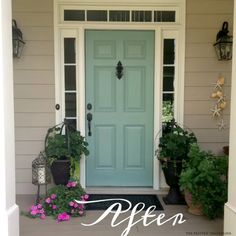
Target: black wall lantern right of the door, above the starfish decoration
[[223, 44]]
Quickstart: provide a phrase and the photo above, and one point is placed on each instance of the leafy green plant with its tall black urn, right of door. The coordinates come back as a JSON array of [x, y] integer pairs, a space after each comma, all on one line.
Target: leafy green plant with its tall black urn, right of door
[[173, 149]]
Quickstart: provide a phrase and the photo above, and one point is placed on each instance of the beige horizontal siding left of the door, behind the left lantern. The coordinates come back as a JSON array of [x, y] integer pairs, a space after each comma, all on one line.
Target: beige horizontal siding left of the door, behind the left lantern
[[34, 86]]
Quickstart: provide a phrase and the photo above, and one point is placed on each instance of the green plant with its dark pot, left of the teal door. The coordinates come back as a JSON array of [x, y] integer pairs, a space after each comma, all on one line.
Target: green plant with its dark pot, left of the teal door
[[64, 147]]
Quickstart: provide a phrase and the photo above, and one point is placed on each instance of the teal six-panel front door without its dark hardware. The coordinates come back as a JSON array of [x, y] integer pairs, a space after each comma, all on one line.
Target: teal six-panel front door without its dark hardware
[[121, 144]]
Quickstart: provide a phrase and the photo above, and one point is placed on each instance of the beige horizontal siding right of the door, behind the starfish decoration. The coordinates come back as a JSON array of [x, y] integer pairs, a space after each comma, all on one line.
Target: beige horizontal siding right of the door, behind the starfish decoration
[[203, 21]]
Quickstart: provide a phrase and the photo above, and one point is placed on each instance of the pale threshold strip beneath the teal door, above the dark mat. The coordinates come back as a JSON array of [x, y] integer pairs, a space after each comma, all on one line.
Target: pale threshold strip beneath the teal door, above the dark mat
[[125, 190]]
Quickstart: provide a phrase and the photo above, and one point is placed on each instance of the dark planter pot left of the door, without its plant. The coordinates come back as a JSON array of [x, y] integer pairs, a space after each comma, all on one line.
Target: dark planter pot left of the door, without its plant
[[61, 171]]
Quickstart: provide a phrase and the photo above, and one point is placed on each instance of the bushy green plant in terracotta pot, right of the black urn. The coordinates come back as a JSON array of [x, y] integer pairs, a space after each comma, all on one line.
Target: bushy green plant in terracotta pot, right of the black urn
[[204, 180]]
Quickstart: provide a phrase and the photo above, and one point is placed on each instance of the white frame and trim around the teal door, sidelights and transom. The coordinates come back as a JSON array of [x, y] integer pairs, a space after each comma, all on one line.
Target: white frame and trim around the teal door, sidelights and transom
[[77, 30]]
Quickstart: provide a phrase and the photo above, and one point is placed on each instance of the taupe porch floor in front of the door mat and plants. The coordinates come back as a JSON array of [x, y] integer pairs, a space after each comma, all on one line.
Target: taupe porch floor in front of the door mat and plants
[[194, 225]]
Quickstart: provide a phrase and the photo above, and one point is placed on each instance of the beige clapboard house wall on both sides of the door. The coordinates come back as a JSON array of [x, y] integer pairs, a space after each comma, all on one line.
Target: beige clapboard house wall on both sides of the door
[[34, 78]]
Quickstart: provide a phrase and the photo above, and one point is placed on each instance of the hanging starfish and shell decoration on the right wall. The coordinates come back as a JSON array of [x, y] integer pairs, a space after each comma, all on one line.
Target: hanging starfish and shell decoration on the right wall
[[220, 103]]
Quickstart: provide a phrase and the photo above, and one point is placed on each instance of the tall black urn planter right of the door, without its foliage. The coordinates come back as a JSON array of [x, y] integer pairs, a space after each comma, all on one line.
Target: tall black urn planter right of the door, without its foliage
[[172, 172]]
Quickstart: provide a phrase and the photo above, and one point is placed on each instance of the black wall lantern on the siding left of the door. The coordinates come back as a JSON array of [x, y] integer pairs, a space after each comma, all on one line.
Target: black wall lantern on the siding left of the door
[[17, 40]]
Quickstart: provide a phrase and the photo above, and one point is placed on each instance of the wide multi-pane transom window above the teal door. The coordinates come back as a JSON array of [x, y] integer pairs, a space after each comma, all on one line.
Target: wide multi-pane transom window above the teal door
[[124, 15]]
